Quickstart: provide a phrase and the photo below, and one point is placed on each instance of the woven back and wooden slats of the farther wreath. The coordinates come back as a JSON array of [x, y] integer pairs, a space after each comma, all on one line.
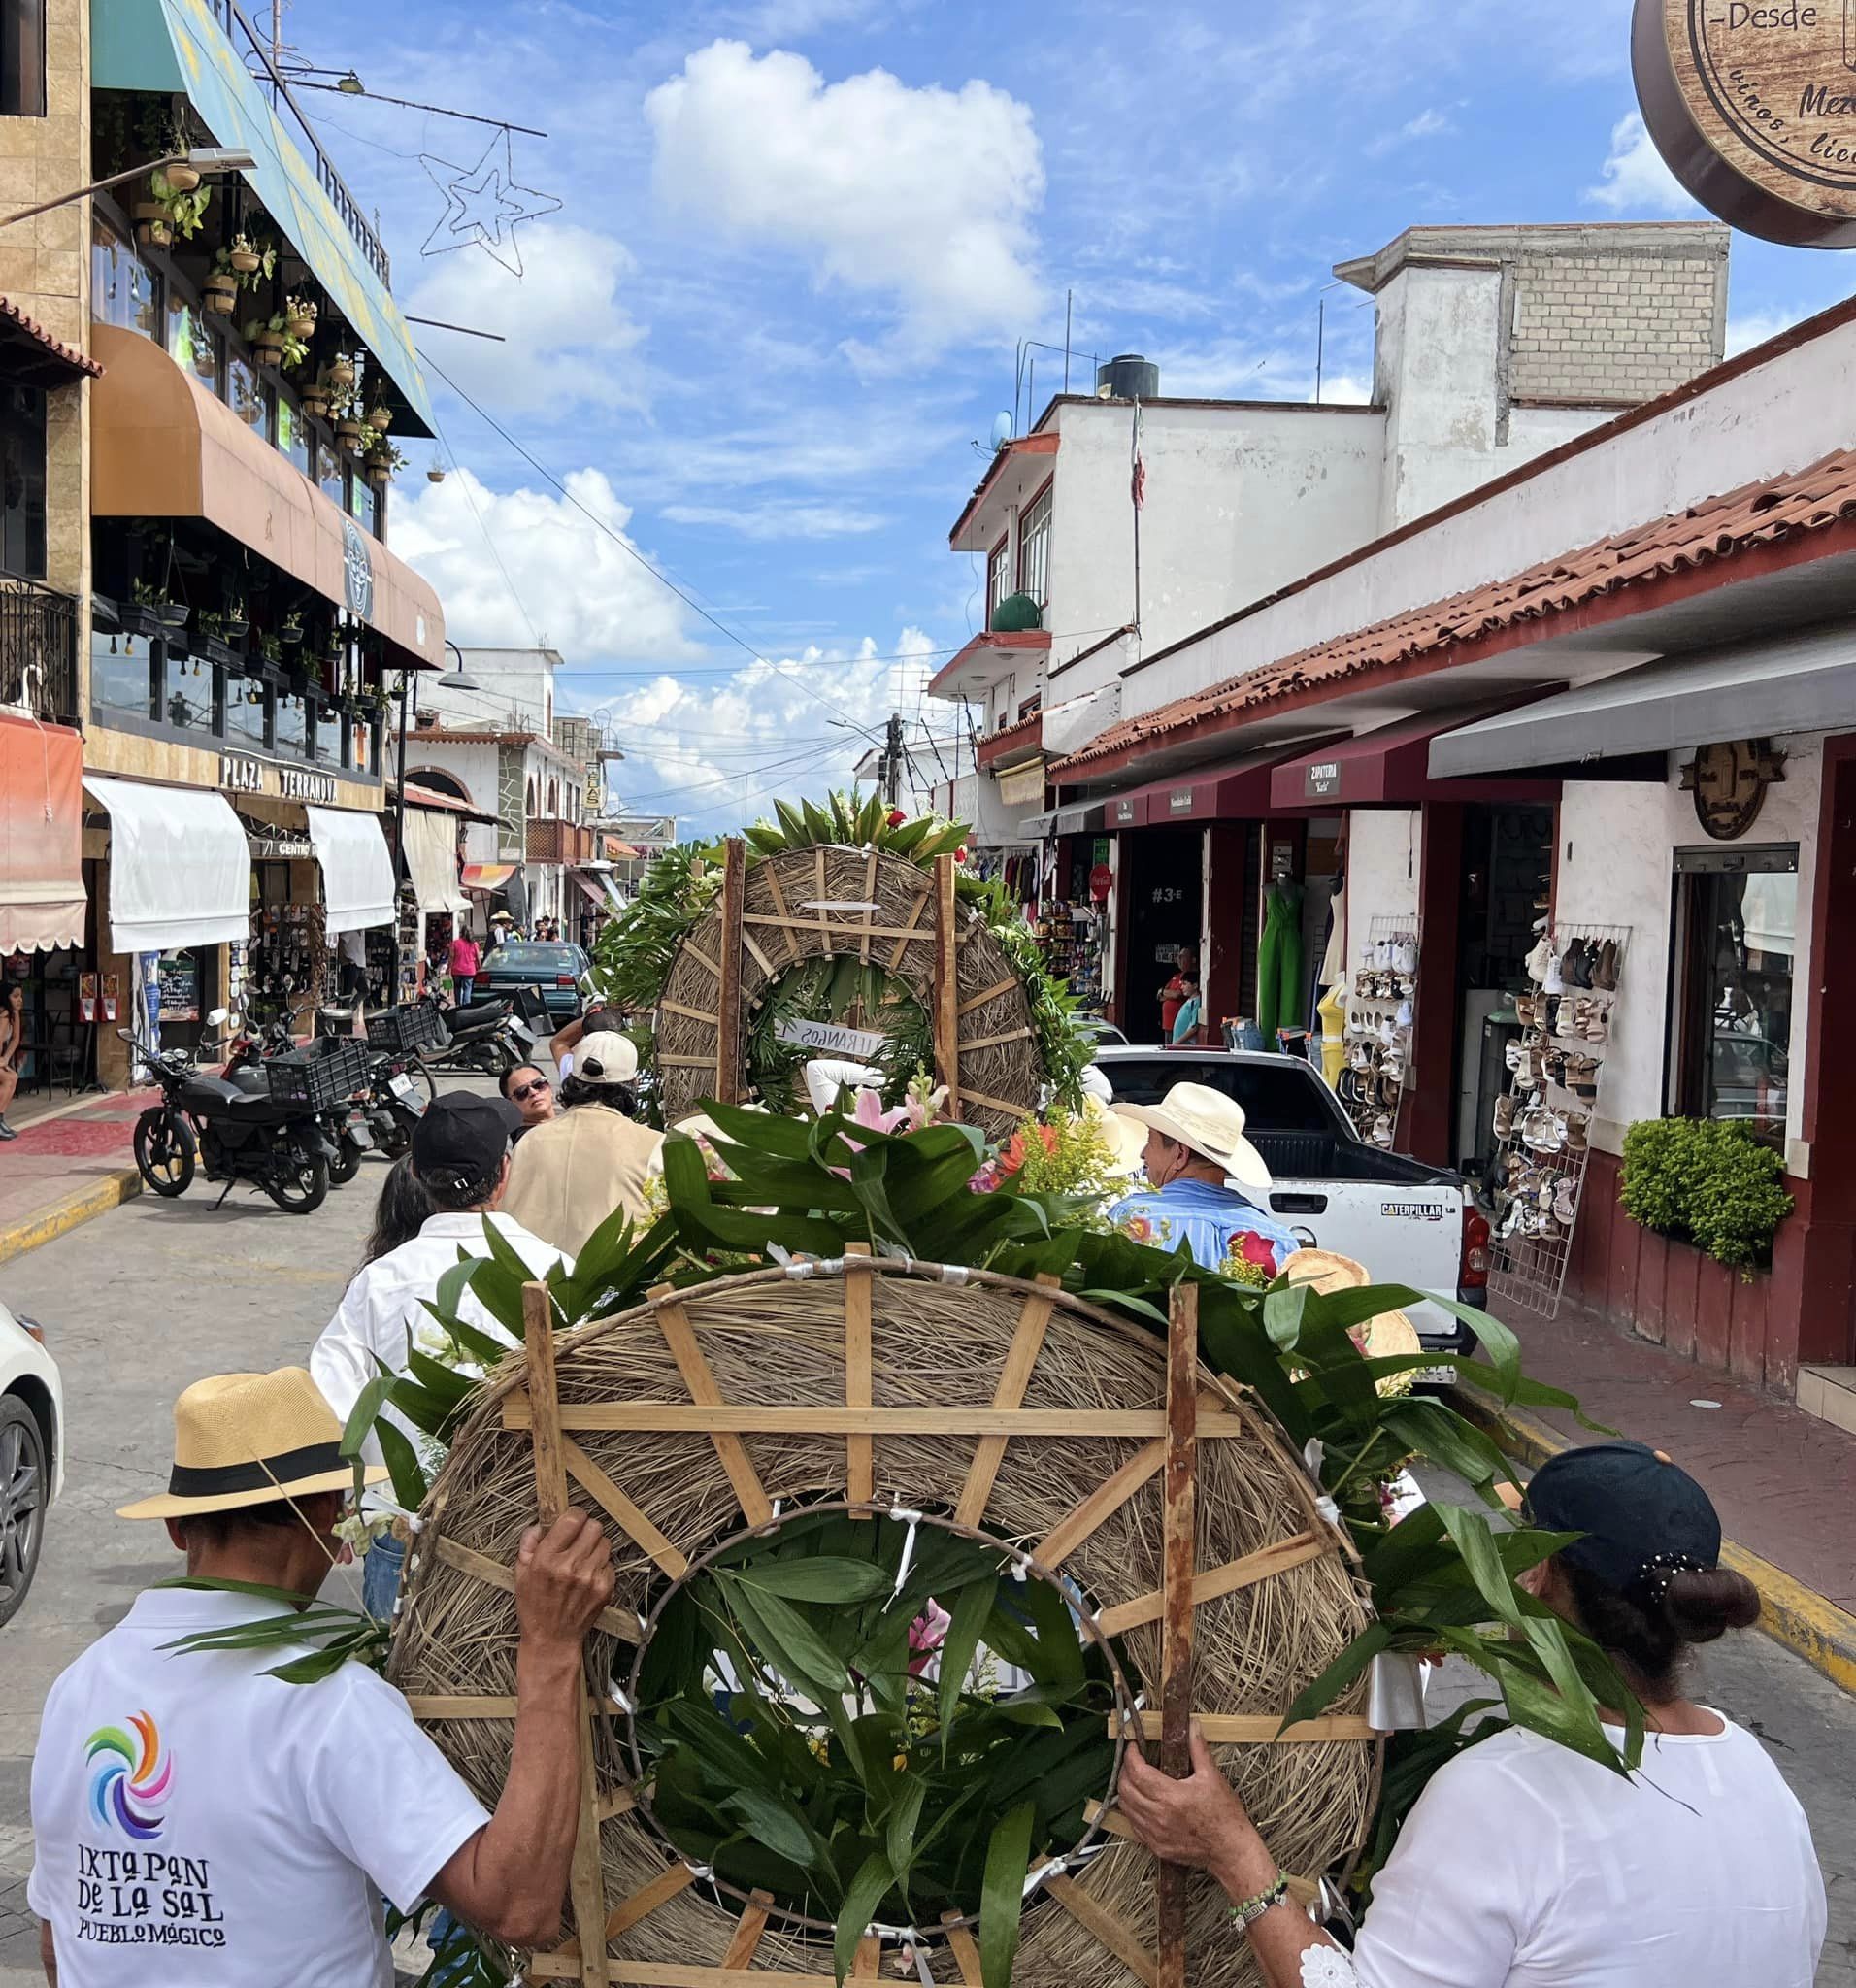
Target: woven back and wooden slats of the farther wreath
[[883, 911]]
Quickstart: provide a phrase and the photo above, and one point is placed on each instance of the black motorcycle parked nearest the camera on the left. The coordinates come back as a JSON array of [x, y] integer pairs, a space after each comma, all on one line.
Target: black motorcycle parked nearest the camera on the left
[[220, 1126]]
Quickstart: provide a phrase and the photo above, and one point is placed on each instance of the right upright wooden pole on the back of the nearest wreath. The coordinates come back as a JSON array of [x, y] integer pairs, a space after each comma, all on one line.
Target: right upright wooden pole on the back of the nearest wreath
[[1177, 1605]]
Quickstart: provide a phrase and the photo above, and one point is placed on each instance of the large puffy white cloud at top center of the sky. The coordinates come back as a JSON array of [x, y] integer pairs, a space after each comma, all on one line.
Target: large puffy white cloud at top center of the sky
[[923, 196]]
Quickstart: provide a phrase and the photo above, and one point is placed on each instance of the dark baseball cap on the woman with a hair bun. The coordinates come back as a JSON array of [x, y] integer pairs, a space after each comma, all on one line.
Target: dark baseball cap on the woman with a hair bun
[[1642, 1516]]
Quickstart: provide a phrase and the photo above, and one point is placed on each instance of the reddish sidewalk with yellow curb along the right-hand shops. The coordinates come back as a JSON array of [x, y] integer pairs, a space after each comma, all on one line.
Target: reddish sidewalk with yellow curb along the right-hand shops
[[1783, 1480]]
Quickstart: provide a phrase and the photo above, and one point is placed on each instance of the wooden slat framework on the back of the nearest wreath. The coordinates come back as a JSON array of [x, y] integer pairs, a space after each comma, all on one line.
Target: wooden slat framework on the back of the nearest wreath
[[1199, 1408]]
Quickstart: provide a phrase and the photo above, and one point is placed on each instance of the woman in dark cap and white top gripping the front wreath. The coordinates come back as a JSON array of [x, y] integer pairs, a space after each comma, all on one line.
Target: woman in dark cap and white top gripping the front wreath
[[1527, 1866]]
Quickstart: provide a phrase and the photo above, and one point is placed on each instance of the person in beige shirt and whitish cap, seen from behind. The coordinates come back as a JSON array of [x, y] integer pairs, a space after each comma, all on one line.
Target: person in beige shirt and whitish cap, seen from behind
[[573, 1174]]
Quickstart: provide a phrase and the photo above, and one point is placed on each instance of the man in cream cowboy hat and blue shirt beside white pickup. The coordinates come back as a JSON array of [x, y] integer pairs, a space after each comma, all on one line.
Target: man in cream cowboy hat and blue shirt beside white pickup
[[1195, 1150]]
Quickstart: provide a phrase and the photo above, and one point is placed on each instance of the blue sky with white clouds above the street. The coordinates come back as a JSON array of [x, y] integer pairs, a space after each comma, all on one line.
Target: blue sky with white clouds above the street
[[798, 246]]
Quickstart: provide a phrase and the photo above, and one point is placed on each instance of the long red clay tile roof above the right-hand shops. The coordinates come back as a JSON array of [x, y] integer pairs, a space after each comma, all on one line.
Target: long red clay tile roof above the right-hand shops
[[1706, 536]]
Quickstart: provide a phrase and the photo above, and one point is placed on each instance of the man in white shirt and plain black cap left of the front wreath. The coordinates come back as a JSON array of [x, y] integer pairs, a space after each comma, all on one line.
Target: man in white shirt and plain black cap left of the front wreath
[[462, 1160]]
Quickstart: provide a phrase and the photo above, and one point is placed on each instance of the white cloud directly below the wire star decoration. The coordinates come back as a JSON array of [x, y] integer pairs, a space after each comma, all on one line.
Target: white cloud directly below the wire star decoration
[[567, 337]]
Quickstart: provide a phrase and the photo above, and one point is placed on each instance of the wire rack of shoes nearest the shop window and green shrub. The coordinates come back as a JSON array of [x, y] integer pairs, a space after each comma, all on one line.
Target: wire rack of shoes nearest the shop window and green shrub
[[1543, 1120]]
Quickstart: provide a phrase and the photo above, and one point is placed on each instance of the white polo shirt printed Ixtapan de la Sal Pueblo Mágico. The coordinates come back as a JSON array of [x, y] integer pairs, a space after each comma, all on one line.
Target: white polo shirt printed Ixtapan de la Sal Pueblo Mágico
[[202, 1824]]
